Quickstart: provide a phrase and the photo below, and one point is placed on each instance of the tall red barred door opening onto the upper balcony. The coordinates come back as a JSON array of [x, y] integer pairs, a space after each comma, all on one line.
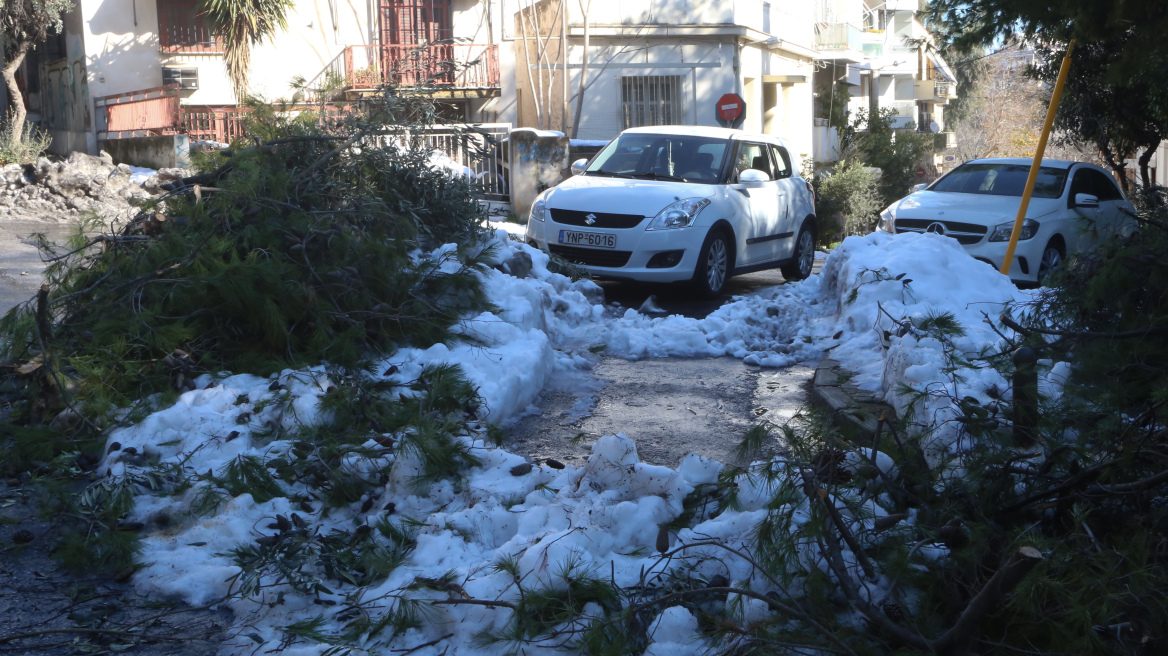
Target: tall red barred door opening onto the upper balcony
[[407, 29]]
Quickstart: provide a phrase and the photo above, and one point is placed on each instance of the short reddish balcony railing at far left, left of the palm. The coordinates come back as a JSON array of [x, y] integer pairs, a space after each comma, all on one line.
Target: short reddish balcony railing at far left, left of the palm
[[148, 113]]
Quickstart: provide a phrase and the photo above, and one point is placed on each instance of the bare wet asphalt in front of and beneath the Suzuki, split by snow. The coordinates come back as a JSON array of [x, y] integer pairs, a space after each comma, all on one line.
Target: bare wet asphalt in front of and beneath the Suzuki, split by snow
[[669, 407]]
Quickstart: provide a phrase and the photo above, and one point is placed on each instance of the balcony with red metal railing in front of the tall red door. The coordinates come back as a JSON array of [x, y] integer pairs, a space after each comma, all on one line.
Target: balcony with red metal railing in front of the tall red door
[[453, 71]]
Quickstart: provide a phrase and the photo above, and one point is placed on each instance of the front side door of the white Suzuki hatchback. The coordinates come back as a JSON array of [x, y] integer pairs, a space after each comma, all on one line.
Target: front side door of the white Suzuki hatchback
[[767, 214]]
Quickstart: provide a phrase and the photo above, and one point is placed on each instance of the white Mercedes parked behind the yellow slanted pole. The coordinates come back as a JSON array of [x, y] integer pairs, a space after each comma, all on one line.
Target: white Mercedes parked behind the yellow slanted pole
[[1074, 206]]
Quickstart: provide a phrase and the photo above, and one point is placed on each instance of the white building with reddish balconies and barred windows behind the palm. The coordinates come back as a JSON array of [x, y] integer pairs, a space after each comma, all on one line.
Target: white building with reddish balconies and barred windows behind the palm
[[140, 68]]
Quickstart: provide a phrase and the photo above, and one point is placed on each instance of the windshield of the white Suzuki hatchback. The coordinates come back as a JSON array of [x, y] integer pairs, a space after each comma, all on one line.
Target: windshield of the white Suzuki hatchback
[[663, 157]]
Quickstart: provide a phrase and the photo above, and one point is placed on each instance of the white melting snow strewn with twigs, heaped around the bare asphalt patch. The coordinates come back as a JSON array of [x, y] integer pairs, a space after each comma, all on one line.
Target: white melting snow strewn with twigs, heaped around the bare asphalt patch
[[603, 517]]
